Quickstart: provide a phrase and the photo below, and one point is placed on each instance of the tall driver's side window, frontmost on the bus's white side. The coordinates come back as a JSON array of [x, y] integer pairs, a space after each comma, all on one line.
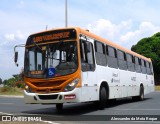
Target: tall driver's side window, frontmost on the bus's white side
[[87, 56]]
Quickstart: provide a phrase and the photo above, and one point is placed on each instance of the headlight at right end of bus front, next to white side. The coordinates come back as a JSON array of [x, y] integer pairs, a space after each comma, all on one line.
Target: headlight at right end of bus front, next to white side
[[71, 85]]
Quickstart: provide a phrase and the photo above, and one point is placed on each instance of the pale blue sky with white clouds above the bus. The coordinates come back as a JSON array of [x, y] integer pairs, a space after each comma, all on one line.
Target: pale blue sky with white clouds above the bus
[[124, 22]]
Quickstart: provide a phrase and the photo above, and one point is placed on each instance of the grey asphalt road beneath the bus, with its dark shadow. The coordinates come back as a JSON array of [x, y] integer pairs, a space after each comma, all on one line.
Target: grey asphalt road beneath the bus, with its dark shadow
[[86, 112]]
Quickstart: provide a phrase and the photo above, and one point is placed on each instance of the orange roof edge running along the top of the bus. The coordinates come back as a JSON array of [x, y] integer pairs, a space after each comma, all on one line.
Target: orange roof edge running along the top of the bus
[[98, 38]]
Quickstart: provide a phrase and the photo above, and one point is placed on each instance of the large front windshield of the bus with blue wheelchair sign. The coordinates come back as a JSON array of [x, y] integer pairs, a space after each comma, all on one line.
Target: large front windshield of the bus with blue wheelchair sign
[[61, 57]]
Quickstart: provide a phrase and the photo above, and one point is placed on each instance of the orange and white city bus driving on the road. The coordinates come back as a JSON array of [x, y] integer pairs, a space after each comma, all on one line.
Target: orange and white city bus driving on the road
[[73, 65]]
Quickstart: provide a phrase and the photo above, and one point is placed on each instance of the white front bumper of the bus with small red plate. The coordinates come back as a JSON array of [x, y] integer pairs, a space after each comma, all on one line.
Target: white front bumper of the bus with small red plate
[[52, 98]]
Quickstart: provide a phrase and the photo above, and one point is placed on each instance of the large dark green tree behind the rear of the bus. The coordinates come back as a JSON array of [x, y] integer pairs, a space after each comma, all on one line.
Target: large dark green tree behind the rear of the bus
[[150, 47]]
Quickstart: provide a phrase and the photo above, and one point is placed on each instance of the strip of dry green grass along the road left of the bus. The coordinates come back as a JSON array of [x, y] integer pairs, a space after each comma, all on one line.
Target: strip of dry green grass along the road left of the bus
[[6, 90]]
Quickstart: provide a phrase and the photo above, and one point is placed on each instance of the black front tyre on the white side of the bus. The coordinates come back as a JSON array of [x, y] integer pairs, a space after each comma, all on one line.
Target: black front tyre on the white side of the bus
[[102, 98]]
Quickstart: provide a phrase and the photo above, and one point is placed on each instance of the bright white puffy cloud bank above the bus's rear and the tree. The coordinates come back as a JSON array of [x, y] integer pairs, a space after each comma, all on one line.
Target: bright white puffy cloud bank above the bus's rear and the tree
[[123, 33]]
